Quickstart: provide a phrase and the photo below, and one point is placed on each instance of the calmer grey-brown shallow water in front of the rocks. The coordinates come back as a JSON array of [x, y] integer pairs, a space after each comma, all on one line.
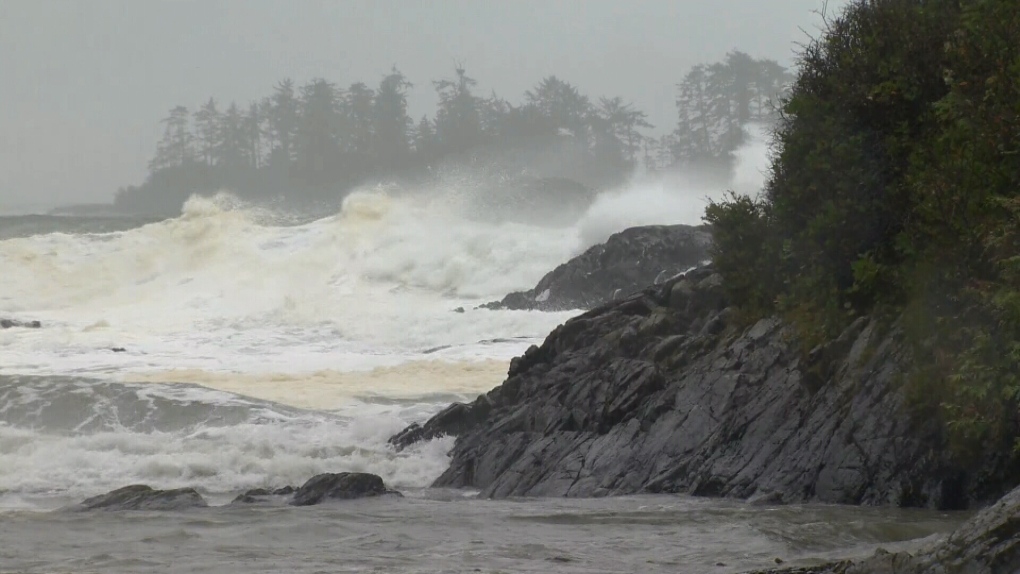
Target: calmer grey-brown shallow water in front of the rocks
[[444, 532]]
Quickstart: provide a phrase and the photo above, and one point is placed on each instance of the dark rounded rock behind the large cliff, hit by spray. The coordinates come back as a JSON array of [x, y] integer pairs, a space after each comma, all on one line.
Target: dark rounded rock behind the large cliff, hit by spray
[[628, 263]]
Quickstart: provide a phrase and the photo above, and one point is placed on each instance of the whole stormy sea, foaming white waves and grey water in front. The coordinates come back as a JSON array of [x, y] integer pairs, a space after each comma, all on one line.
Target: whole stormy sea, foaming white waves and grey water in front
[[237, 347]]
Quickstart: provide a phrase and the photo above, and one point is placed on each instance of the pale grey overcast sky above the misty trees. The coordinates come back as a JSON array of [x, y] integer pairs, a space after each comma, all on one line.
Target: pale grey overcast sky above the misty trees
[[84, 84]]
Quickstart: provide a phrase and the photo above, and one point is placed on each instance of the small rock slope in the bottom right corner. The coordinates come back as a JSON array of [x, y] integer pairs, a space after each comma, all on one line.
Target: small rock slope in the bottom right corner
[[988, 544]]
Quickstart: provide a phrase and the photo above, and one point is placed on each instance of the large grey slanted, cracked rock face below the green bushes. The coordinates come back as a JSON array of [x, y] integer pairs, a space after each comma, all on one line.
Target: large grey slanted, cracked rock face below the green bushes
[[660, 393]]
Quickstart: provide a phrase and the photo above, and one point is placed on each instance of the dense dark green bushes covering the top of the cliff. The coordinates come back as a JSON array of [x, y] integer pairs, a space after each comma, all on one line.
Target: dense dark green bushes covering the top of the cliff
[[896, 191]]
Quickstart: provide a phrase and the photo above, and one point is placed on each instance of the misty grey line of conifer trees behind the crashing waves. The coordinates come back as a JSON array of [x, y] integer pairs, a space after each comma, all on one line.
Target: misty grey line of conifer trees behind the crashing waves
[[312, 143]]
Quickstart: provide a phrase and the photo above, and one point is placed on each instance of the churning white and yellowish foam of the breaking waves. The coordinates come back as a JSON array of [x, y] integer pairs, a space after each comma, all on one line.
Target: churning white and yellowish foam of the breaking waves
[[351, 315]]
